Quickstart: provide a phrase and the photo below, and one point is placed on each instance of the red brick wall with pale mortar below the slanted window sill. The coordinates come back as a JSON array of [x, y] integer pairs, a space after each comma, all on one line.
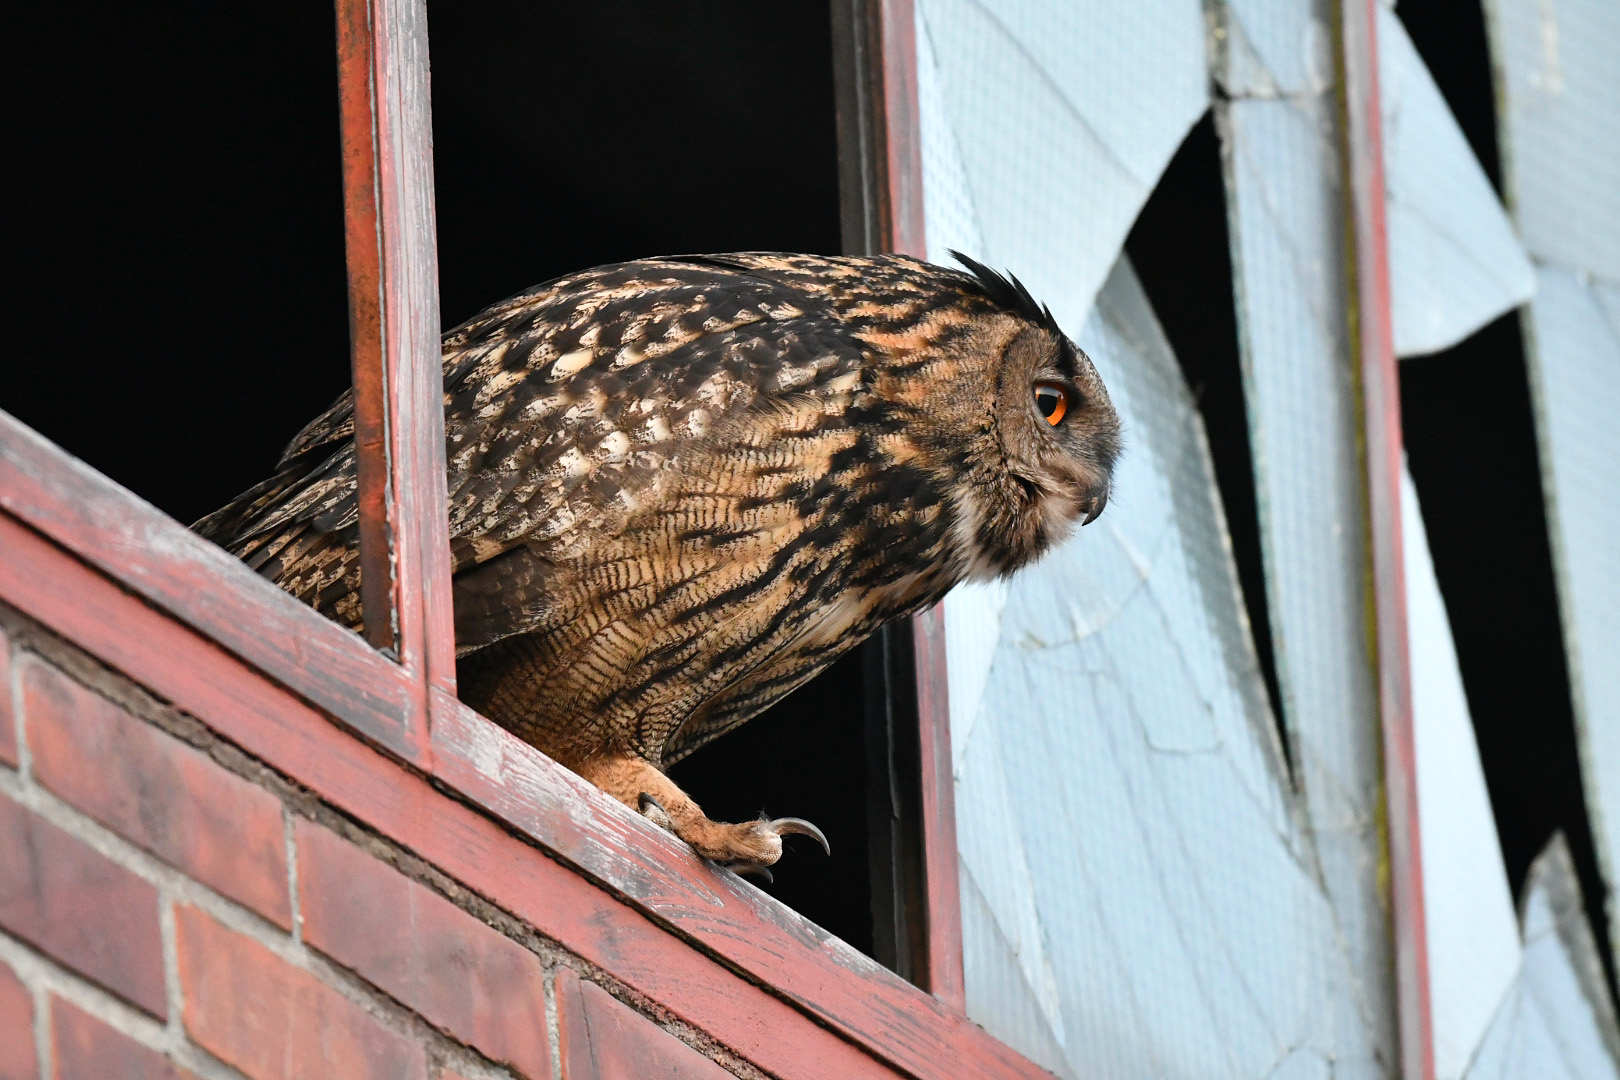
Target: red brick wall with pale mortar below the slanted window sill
[[173, 908]]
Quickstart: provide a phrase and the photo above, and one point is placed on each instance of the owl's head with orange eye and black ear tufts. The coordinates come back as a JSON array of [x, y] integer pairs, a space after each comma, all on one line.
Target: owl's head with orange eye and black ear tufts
[[1034, 432]]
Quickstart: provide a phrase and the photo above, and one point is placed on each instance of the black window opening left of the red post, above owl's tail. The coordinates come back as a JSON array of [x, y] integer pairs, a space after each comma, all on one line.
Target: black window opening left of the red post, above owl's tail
[[177, 239]]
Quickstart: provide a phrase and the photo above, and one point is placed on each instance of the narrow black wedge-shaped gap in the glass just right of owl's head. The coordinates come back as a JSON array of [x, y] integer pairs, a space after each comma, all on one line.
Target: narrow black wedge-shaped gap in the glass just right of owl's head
[[1183, 258]]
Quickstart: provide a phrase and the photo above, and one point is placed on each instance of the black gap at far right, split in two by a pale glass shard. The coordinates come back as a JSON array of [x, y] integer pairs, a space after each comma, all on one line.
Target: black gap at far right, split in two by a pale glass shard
[[1472, 448]]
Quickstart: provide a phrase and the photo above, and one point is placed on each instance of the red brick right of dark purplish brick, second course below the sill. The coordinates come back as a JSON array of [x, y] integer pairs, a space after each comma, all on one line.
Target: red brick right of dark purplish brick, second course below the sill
[[275, 1021]]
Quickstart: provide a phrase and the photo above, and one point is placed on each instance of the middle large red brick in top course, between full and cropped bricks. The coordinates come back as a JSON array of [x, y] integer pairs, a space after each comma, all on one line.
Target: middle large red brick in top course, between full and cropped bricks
[[422, 950]]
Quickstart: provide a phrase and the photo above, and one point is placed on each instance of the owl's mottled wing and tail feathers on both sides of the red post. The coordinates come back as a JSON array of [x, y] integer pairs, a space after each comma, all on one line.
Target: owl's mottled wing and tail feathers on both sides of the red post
[[568, 410]]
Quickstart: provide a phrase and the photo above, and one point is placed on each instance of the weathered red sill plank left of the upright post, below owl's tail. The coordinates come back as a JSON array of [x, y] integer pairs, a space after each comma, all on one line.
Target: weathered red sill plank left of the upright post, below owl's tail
[[205, 587]]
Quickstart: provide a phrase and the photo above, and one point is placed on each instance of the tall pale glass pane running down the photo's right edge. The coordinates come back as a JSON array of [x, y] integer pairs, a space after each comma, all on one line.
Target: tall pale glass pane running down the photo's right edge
[[1561, 134]]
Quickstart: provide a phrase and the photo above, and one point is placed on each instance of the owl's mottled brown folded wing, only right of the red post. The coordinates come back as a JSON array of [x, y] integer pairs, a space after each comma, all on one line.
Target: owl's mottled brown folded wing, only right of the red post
[[574, 432]]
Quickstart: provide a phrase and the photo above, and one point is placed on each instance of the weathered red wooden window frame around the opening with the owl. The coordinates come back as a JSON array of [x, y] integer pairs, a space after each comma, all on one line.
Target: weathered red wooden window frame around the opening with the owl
[[177, 613]]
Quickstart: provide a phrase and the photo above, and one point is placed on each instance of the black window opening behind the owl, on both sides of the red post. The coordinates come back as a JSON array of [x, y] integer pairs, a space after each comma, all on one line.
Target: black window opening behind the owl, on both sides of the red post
[[182, 242]]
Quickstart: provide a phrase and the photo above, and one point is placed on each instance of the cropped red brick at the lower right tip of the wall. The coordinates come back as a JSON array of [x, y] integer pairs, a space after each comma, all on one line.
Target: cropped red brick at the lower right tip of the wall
[[607, 1040]]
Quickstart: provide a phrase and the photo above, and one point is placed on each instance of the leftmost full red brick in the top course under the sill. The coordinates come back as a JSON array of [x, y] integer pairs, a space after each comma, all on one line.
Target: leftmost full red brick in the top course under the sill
[[161, 794]]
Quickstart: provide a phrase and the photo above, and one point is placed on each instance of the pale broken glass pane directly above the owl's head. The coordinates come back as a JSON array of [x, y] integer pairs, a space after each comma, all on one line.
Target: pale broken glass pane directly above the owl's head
[[1057, 108]]
